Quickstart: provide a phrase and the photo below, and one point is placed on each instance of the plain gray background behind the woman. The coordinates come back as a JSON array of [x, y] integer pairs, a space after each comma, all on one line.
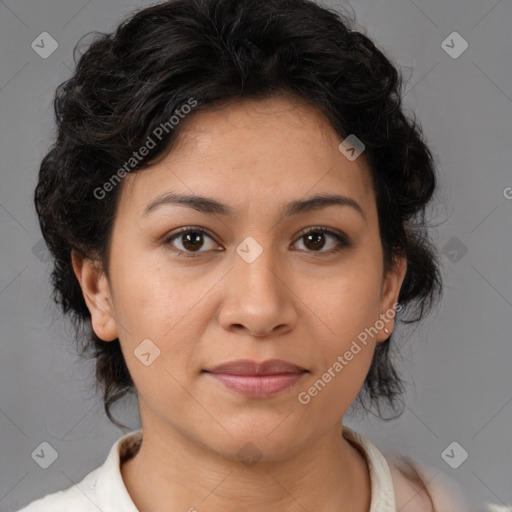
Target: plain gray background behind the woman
[[457, 364]]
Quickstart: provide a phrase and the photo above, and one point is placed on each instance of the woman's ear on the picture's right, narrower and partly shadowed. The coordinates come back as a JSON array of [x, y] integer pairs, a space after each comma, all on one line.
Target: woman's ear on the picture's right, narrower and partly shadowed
[[389, 297]]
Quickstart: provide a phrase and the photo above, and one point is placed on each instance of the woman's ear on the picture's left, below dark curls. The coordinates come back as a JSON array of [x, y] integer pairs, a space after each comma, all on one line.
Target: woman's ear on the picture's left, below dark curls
[[97, 295]]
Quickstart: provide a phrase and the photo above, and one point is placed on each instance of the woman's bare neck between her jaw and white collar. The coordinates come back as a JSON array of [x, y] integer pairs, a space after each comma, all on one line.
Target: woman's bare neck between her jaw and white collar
[[172, 472]]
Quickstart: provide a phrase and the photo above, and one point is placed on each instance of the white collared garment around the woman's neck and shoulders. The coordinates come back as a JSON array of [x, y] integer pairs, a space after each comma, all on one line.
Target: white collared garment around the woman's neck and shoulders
[[103, 489]]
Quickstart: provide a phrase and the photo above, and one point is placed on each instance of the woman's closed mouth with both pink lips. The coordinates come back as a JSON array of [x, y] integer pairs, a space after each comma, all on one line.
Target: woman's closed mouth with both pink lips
[[257, 380]]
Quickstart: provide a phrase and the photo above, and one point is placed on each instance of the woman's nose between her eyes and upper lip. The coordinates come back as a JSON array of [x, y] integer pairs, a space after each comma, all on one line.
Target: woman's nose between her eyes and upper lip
[[258, 297]]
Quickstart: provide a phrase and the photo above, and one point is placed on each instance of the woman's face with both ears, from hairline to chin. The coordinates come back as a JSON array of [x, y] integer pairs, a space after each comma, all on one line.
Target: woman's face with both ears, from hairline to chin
[[254, 286]]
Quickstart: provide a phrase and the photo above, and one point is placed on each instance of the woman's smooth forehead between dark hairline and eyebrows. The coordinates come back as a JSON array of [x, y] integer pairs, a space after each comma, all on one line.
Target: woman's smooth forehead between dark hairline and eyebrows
[[273, 150]]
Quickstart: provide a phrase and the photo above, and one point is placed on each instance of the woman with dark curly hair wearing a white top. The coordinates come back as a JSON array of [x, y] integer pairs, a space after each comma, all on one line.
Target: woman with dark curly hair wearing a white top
[[235, 206]]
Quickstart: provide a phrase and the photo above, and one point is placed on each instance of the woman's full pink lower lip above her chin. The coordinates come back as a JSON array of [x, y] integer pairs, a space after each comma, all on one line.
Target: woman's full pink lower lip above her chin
[[258, 386]]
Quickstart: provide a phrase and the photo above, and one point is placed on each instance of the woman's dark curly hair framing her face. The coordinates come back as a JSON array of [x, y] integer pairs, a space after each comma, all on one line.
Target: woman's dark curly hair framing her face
[[131, 81]]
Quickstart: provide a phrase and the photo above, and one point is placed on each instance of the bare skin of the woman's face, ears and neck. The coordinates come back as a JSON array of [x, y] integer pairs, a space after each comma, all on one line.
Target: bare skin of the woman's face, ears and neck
[[295, 302]]
